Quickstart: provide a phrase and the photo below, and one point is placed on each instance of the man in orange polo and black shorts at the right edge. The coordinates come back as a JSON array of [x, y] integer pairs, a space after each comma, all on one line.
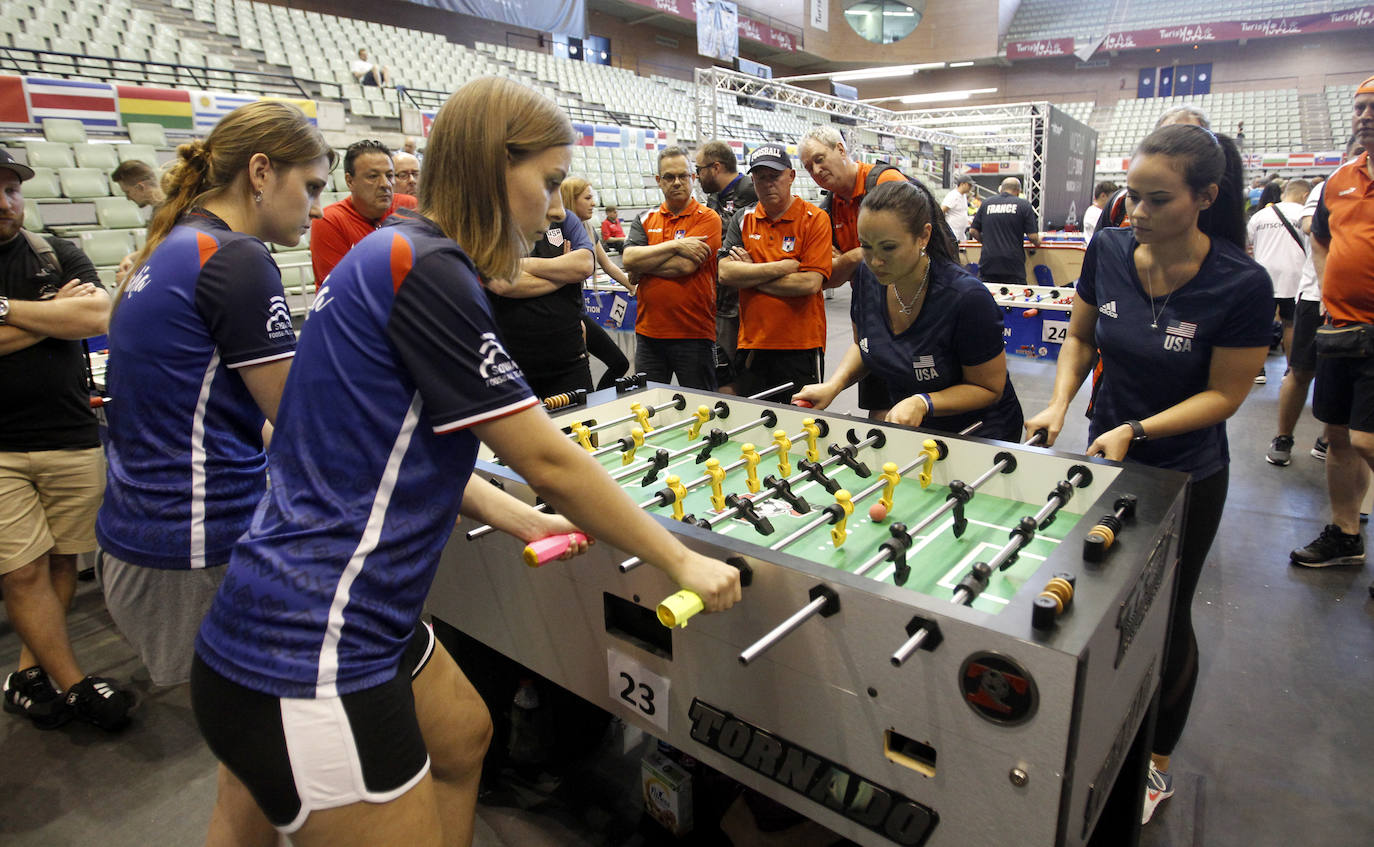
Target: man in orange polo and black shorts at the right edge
[[1343, 241]]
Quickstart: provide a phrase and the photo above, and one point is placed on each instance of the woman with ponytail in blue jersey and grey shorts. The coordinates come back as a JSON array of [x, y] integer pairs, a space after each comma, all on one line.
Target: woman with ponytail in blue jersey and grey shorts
[[200, 347]]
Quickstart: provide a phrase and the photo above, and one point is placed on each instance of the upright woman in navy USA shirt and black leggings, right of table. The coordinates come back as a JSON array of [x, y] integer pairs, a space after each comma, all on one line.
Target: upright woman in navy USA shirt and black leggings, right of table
[[1182, 320]]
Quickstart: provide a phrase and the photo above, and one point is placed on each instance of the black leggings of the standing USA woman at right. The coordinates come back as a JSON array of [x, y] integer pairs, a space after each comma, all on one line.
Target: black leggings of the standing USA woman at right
[[1202, 519]]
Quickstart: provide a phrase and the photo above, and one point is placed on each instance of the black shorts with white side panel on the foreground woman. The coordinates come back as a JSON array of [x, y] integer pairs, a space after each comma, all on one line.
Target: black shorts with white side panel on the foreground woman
[[303, 756]]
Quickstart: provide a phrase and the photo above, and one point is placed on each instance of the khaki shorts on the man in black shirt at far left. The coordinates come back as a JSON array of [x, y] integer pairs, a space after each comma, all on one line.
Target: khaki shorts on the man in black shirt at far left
[[47, 504]]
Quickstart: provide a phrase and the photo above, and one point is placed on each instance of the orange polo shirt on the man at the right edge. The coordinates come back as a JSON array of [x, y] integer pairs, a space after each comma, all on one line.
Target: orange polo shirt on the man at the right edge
[[1349, 284]]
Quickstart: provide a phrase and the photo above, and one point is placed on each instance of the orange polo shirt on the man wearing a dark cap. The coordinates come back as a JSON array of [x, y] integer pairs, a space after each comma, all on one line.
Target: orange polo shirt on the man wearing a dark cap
[[769, 322]]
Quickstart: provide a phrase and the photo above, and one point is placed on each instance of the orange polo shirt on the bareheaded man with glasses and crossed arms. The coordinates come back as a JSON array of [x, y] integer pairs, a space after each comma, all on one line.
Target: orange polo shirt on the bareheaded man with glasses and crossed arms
[[684, 307]]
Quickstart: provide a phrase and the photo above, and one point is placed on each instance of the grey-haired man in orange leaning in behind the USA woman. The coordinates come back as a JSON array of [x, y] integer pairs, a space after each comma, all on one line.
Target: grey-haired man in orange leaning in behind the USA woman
[[826, 157]]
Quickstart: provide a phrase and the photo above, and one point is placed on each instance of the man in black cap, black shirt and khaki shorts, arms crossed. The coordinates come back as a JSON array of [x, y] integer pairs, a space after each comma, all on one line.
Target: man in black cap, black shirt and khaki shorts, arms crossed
[[52, 467]]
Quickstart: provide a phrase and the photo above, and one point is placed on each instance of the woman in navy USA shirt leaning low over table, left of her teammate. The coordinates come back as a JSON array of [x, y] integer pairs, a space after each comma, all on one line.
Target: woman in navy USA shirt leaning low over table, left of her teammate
[[924, 324]]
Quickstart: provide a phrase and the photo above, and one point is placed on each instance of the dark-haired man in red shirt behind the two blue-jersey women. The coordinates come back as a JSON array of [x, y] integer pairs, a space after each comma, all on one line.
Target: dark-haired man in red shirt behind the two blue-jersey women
[[372, 184]]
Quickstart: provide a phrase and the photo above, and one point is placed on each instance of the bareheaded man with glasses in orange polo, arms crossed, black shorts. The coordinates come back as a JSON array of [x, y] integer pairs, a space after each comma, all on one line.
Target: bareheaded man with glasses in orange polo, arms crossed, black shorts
[[674, 252]]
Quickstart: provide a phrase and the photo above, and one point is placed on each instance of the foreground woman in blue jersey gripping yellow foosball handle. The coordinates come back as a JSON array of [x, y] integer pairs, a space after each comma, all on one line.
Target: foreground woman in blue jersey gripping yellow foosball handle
[[308, 685]]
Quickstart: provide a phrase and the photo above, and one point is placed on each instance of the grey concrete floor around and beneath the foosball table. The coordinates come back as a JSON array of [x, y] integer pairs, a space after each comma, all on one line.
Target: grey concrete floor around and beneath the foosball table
[[1280, 749]]
